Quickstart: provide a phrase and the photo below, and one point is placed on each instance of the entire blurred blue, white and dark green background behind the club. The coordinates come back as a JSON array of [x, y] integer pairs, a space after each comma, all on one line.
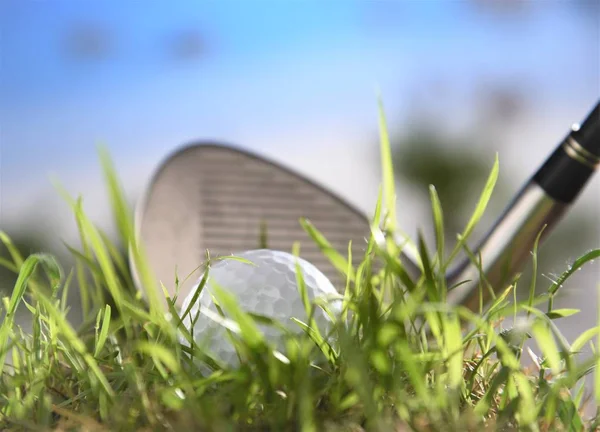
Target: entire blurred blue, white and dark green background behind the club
[[296, 82]]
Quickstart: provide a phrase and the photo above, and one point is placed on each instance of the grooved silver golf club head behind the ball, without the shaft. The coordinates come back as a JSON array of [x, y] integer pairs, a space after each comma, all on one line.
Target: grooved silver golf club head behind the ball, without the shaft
[[213, 196]]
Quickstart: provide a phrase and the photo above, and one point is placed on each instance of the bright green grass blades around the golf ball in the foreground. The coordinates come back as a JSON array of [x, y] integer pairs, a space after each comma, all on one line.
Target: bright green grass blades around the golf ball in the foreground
[[402, 359]]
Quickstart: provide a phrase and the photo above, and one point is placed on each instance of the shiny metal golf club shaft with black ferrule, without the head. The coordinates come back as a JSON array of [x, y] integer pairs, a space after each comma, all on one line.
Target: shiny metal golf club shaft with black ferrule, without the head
[[540, 205]]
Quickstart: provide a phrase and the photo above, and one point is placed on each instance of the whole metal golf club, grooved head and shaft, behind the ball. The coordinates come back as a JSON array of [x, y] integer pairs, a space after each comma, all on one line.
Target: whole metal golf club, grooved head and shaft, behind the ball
[[211, 195]]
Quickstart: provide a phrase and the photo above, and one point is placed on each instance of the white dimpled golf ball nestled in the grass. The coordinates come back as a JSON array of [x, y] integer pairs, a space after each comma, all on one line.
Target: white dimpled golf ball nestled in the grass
[[268, 286]]
